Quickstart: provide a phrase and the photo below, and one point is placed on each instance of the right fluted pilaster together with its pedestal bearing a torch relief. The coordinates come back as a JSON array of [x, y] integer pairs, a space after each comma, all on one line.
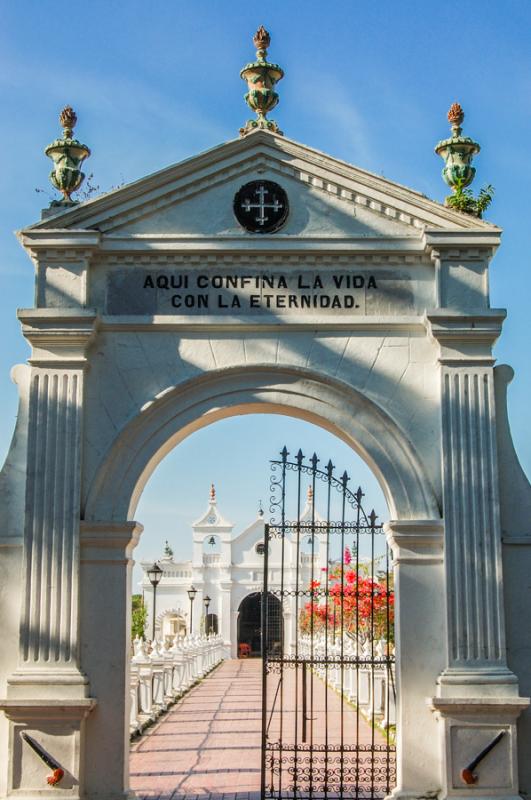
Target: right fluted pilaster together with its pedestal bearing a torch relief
[[477, 696]]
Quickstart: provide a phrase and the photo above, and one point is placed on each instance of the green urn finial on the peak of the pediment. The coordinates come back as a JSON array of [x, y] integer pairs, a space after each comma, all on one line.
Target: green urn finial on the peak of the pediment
[[261, 77]]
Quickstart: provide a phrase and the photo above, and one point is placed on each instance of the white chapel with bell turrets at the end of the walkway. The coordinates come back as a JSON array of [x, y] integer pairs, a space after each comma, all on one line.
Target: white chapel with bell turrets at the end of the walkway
[[229, 569]]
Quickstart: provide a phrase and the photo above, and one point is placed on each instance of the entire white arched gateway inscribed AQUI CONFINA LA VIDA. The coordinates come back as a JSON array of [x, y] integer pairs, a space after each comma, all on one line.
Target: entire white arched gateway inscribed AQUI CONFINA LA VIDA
[[168, 304]]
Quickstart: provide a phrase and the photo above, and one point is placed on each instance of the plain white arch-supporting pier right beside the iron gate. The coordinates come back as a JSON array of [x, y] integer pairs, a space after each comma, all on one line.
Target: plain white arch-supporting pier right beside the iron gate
[[417, 547]]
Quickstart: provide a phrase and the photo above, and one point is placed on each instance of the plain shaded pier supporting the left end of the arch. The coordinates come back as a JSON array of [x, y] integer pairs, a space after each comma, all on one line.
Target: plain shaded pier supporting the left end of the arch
[[106, 567]]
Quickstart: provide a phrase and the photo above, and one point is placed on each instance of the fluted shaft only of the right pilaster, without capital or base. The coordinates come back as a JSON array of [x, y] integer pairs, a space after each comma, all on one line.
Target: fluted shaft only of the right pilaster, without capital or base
[[471, 511]]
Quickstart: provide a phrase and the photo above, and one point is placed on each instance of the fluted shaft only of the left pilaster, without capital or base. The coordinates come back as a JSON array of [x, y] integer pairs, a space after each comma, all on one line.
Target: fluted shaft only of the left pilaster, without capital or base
[[49, 631]]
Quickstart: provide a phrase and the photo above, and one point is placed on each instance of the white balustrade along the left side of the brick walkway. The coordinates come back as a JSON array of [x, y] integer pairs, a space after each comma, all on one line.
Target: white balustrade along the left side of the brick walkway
[[162, 671]]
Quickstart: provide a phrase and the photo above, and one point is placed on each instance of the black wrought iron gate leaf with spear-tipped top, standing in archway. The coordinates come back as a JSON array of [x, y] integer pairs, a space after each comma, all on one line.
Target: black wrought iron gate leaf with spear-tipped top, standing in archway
[[328, 687]]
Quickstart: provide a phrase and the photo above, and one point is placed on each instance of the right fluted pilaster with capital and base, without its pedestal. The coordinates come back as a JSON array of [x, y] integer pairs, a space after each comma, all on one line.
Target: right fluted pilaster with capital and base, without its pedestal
[[476, 626]]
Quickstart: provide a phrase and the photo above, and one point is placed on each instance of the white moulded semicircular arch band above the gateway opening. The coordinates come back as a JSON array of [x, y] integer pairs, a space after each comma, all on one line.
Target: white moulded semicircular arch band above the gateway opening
[[326, 402]]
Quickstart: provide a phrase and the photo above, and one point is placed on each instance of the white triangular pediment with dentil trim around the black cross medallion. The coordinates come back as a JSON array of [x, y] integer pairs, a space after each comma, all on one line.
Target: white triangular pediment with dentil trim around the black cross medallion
[[328, 198]]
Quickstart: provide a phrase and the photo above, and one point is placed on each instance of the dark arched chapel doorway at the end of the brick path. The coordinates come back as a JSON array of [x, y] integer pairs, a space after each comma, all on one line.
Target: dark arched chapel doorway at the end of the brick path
[[250, 625]]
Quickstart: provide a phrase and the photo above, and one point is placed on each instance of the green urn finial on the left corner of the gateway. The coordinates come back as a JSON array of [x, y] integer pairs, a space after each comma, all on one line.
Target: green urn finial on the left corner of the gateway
[[67, 155]]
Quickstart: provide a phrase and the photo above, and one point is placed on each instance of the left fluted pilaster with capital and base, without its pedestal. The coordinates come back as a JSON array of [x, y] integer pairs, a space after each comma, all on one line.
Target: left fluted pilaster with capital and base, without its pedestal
[[50, 619]]
